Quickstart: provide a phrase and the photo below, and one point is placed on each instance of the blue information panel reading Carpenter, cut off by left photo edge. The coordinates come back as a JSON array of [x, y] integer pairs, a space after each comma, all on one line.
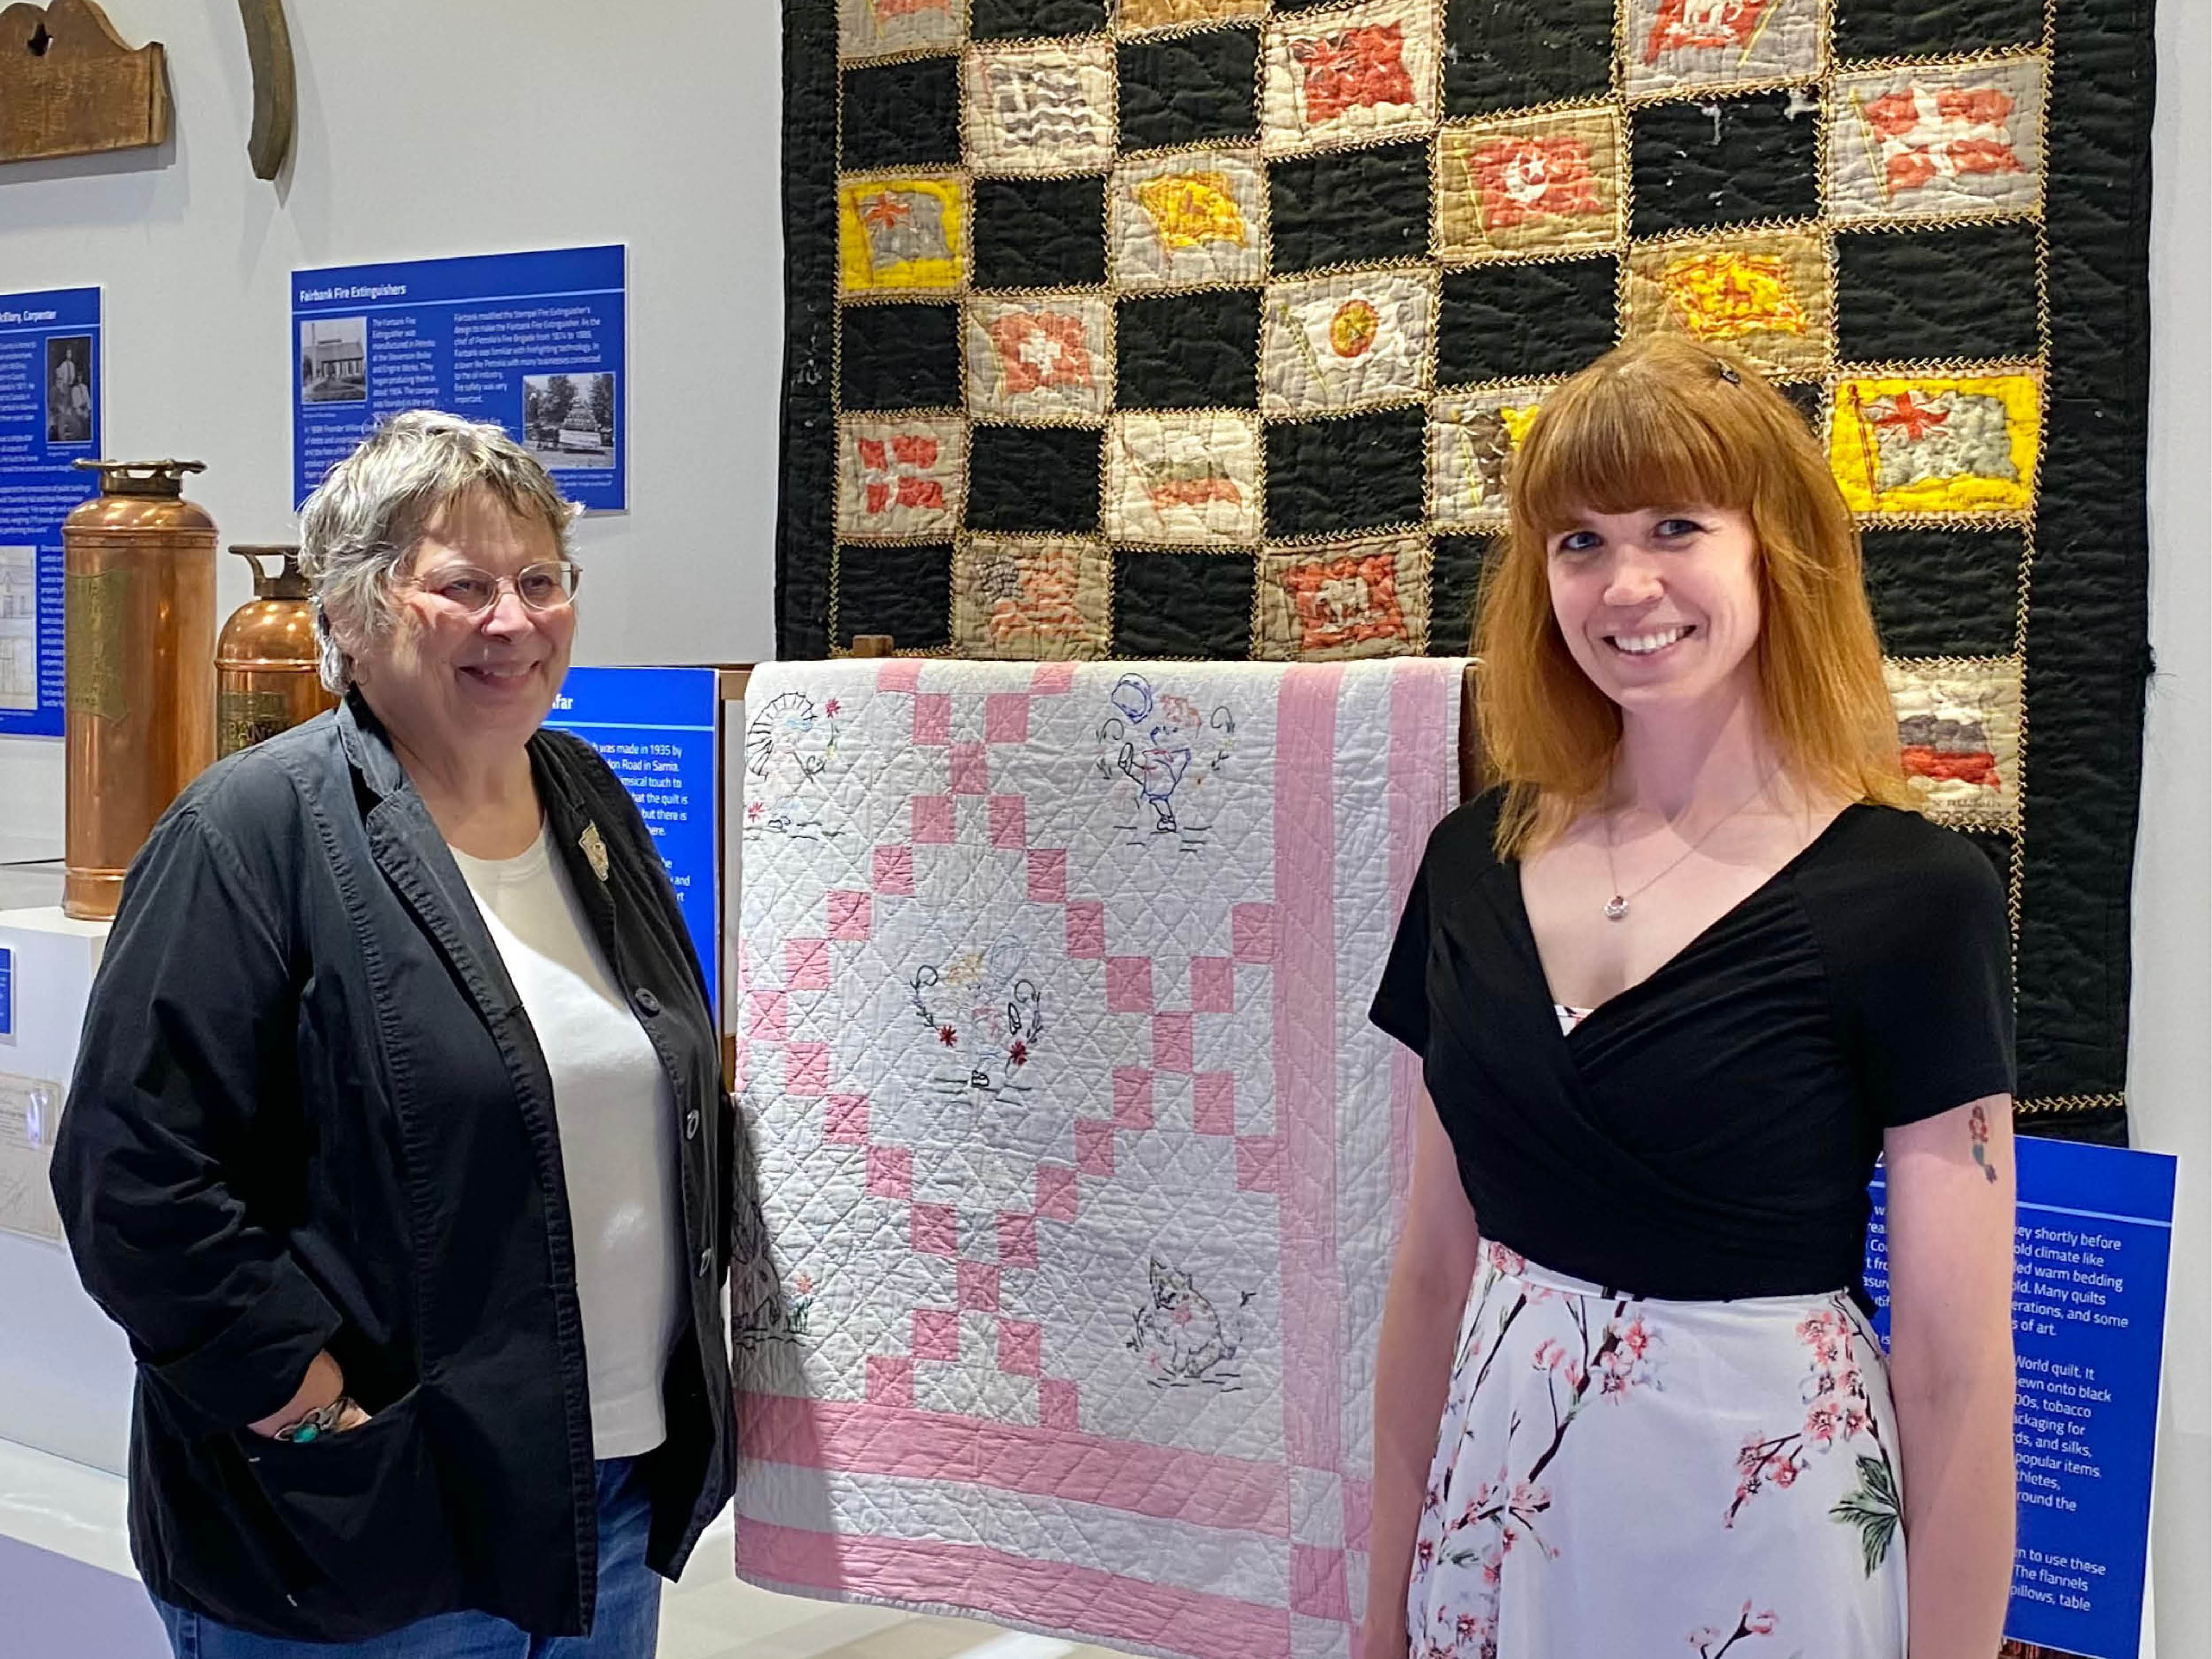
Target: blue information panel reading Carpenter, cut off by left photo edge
[[50, 419]]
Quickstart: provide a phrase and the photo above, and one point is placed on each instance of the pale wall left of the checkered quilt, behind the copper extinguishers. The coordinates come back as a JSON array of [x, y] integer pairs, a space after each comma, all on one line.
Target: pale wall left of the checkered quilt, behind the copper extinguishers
[[435, 129]]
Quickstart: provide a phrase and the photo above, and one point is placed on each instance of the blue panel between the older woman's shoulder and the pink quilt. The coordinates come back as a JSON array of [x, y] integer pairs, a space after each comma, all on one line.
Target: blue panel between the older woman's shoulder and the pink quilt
[[656, 729]]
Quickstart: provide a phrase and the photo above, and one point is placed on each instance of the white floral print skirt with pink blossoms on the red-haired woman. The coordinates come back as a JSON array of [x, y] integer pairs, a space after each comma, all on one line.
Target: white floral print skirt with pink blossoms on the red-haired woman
[[1634, 1477]]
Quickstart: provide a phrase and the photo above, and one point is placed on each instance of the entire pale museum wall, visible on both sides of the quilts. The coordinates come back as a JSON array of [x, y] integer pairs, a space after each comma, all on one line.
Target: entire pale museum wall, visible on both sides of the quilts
[[501, 125]]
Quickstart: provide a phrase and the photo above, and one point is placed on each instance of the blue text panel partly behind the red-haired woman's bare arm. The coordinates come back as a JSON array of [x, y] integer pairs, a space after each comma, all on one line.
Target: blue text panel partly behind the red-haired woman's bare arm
[[2089, 1313]]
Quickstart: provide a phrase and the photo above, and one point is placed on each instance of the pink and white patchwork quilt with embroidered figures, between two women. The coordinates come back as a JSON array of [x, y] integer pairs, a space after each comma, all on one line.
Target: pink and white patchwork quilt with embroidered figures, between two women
[[1074, 1158]]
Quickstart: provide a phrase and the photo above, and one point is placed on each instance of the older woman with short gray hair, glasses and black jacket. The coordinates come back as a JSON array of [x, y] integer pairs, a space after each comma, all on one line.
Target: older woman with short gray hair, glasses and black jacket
[[399, 1142]]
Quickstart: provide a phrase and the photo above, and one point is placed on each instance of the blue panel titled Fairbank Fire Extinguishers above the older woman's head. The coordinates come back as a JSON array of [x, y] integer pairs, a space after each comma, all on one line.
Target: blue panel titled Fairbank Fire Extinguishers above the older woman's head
[[532, 342]]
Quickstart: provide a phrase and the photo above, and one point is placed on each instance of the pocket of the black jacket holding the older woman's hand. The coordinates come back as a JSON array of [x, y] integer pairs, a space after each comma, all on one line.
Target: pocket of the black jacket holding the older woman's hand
[[364, 1507]]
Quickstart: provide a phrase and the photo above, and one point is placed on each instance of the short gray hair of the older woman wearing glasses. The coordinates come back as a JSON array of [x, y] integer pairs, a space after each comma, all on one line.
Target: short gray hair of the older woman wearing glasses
[[364, 523]]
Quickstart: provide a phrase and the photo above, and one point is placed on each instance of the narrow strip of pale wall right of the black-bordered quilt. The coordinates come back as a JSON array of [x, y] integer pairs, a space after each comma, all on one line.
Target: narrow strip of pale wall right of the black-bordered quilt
[[2171, 1052]]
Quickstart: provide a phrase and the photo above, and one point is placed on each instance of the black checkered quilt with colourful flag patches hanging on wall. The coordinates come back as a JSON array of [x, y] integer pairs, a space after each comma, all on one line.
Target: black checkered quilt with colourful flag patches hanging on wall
[[1207, 328]]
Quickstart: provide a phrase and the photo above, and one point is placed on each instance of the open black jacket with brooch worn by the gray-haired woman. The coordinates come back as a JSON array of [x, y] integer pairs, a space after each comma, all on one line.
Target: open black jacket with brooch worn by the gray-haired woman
[[311, 1114]]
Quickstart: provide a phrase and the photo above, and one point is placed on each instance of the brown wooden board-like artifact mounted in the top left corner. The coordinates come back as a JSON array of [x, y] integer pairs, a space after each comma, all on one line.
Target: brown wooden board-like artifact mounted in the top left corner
[[72, 87]]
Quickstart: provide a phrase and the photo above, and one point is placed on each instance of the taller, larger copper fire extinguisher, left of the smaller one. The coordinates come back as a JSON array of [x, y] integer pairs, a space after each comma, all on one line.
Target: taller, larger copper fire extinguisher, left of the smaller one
[[140, 651]]
